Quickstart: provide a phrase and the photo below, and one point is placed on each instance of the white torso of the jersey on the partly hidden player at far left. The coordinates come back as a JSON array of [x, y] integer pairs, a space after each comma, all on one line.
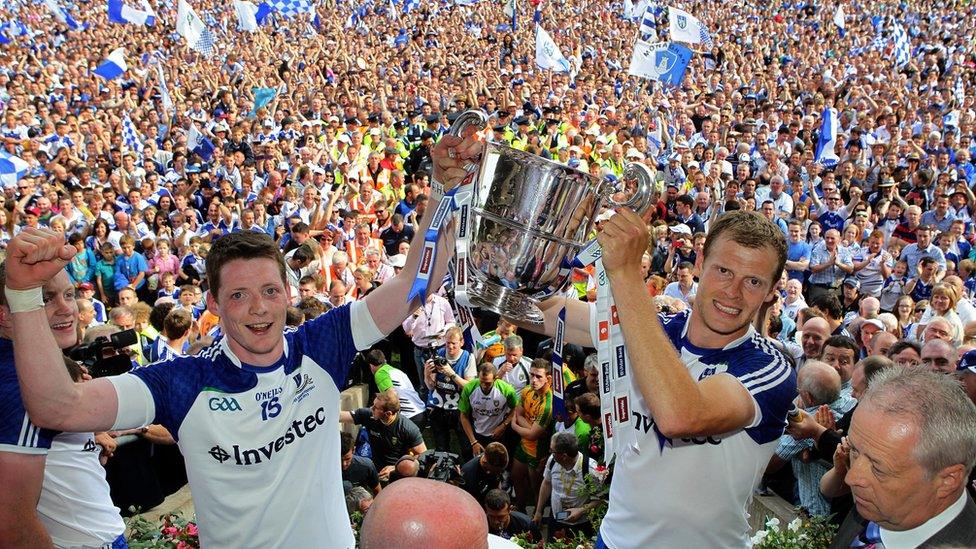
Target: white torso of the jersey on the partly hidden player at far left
[[75, 506]]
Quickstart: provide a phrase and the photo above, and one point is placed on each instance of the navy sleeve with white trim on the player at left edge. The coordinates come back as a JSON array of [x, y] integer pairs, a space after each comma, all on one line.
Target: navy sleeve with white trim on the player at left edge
[[17, 433]]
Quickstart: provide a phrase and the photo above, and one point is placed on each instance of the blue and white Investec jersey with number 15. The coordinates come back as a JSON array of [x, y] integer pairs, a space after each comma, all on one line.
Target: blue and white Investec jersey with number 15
[[261, 444]]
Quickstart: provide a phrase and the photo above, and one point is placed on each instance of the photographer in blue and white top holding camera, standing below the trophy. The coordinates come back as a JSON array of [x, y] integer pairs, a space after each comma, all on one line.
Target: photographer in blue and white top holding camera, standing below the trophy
[[445, 375]]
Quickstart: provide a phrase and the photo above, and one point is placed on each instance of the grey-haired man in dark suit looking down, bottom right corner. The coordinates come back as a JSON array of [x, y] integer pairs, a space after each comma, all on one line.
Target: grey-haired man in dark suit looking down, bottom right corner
[[912, 447]]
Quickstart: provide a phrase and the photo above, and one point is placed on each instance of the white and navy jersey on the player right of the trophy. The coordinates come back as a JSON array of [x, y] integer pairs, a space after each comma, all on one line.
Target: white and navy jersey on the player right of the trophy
[[694, 492]]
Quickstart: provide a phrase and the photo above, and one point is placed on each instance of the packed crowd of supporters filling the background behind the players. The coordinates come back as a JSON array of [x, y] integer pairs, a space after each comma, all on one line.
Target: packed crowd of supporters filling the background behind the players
[[336, 167]]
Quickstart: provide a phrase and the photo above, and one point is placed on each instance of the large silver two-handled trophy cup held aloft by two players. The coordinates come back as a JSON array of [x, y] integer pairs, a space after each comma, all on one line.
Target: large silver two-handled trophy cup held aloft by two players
[[529, 218]]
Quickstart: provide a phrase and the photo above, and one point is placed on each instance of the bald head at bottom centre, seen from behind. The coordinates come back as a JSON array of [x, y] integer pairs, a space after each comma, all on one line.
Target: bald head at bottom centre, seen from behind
[[417, 512]]
